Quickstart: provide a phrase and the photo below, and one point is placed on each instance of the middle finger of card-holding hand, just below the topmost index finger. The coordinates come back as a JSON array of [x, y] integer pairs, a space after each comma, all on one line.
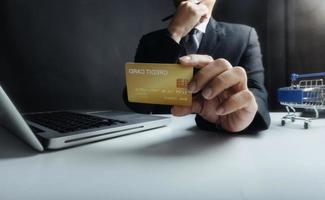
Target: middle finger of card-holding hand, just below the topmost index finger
[[208, 73]]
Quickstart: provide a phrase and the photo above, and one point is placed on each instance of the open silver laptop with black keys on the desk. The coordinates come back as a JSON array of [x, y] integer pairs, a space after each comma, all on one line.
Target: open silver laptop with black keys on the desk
[[62, 129]]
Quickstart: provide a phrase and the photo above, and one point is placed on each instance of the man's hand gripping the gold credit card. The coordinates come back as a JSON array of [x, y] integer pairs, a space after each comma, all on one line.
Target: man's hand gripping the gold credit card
[[217, 78]]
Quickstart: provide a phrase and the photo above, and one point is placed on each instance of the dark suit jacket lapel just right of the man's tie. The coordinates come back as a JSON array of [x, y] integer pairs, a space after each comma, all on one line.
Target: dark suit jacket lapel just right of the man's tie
[[211, 39]]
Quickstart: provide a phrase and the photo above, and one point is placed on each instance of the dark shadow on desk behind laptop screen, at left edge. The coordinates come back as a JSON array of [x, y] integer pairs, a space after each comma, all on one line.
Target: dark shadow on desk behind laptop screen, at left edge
[[13, 147]]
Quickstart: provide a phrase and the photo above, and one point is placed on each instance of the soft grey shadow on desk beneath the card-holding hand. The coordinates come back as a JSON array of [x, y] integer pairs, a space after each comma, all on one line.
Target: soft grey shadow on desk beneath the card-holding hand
[[196, 142]]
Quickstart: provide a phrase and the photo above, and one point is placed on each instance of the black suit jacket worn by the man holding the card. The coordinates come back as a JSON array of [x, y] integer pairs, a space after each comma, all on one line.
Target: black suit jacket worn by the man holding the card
[[237, 43]]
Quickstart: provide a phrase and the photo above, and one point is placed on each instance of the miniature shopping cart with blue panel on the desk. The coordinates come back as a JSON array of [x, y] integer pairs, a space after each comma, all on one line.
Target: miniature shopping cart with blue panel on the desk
[[307, 91]]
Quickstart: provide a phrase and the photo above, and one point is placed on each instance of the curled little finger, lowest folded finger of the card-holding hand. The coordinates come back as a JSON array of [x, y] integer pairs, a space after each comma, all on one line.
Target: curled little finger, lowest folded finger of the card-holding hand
[[242, 99]]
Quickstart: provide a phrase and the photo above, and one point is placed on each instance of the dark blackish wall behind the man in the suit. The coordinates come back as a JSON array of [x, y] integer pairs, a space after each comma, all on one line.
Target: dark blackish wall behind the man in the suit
[[70, 54]]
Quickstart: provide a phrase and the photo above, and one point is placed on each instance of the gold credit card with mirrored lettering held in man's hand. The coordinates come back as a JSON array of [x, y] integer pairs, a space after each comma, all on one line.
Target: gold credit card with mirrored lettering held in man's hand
[[164, 84]]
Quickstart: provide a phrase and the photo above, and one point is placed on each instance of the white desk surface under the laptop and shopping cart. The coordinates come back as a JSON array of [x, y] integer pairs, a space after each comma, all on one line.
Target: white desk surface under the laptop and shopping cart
[[176, 162]]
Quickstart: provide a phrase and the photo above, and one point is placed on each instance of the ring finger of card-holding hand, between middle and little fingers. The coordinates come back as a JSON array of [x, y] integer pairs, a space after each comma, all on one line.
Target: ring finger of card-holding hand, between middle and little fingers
[[233, 77]]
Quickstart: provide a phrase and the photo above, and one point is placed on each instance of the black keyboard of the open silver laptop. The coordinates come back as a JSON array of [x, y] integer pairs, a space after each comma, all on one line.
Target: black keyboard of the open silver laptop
[[65, 122]]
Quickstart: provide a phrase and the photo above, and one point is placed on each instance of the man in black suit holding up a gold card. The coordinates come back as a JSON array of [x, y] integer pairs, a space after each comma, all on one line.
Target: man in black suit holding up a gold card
[[228, 85]]
